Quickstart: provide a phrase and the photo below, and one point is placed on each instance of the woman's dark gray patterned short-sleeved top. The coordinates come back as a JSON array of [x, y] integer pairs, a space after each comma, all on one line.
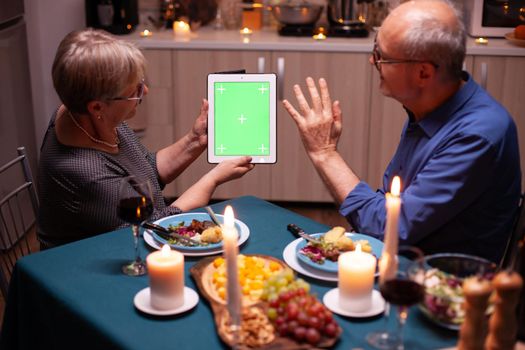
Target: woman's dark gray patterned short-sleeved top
[[78, 188]]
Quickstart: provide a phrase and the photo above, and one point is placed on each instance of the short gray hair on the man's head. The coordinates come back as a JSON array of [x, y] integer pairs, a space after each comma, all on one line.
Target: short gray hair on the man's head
[[427, 38]]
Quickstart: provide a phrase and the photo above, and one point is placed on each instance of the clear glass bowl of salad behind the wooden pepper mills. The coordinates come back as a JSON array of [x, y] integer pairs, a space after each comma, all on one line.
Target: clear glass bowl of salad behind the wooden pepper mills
[[443, 281]]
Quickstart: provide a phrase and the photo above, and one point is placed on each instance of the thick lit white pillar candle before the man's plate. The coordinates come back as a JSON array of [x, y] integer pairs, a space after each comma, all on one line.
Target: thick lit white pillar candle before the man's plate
[[356, 279]]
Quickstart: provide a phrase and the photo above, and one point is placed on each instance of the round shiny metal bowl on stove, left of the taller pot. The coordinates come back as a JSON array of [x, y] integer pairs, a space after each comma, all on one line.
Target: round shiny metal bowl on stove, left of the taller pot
[[297, 12]]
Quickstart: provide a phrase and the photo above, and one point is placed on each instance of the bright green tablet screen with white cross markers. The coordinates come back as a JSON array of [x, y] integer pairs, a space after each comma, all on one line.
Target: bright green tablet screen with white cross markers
[[242, 118]]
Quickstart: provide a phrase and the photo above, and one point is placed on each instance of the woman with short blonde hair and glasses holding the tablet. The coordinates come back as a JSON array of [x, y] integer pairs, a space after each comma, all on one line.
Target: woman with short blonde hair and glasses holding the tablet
[[88, 148]]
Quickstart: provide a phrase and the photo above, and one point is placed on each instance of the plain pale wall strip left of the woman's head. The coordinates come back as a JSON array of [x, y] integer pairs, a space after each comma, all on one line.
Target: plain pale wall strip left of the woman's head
[[48, 21]]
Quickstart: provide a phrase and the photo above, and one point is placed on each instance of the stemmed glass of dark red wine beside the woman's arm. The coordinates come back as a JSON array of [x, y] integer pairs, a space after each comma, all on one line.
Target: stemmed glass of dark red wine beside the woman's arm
[[135, 205]]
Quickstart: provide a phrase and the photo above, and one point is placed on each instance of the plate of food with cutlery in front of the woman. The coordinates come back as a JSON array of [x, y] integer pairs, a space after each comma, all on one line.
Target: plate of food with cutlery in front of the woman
[[199, 228]]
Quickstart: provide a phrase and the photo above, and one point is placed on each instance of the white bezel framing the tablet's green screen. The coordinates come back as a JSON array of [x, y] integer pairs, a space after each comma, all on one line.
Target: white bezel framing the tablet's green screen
[[270, 78]]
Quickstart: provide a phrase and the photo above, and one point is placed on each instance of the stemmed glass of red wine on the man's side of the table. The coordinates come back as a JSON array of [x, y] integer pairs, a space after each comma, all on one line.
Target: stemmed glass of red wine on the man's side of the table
[[401, 285]]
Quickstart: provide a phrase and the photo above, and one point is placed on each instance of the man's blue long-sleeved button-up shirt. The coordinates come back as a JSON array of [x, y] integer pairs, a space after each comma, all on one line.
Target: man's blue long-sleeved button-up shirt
[[460, 170]]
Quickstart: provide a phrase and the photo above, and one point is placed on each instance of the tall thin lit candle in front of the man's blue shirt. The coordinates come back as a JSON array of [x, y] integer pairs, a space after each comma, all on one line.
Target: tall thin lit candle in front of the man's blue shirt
[[388, 262]]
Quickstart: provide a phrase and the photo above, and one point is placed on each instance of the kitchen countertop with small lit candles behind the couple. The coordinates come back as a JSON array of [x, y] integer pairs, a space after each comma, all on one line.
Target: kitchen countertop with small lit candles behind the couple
[[267, 39]]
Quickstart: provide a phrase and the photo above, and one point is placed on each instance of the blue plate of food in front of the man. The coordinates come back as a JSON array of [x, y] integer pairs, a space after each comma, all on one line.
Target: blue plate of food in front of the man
[[323, 255]]
